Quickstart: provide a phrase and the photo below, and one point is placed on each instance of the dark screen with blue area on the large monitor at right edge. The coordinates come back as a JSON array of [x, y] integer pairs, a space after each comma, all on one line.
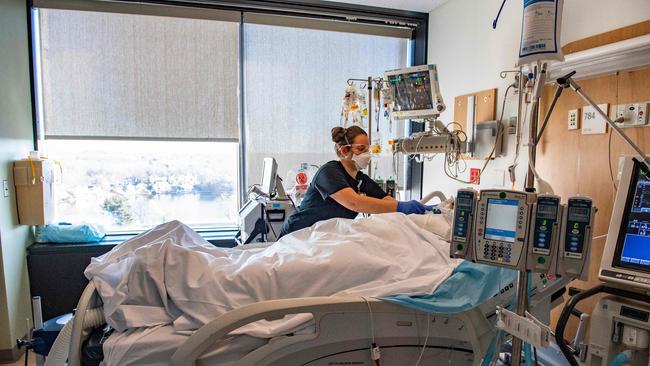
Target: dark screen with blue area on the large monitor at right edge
[[636, 245]]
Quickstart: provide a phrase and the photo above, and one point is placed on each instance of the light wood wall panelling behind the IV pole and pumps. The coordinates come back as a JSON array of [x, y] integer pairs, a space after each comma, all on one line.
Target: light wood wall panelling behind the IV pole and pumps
[[577, 164]]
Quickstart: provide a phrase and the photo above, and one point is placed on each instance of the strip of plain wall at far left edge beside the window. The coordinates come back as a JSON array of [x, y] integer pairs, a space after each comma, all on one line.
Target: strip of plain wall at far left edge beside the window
[[15, 142]]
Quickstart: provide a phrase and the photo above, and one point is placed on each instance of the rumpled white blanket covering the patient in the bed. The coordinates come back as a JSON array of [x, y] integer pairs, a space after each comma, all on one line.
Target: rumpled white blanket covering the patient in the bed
[[172, 275]]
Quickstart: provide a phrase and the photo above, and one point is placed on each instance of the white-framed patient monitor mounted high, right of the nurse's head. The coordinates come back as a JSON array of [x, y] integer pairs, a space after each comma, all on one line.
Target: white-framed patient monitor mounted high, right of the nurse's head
[[415, 91]]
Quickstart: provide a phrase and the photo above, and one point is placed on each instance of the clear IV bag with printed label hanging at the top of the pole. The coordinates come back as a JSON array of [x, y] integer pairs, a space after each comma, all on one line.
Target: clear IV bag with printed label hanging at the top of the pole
[[540, 31]]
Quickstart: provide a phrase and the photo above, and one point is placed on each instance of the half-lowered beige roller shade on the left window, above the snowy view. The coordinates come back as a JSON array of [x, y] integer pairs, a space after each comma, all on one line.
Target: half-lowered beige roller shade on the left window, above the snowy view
[[125, 75]]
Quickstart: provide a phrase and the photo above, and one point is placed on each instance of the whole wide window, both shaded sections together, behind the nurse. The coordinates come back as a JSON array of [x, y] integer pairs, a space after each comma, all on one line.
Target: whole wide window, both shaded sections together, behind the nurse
[[143, 104]]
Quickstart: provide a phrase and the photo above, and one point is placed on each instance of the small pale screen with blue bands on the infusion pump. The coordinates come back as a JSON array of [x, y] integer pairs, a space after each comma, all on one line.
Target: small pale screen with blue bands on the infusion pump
[[501, 220]]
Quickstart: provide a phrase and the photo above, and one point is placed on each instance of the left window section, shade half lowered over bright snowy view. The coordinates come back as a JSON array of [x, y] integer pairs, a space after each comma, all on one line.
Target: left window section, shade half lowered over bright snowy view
[[142, 113]]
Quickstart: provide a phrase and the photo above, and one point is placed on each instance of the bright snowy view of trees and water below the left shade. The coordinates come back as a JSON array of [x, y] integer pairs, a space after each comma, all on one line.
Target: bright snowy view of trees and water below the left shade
[[134, 185]]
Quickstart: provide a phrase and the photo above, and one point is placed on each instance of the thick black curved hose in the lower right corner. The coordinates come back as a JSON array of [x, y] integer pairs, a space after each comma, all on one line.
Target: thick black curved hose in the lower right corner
[[568, 308]]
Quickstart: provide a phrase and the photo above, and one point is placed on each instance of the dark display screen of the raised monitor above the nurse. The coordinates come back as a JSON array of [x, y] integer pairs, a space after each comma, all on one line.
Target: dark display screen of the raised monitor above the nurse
[[412, 91]]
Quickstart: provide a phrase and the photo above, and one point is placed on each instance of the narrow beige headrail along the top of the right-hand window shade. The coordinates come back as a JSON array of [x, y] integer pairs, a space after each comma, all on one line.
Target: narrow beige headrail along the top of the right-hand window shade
[[328, 25]]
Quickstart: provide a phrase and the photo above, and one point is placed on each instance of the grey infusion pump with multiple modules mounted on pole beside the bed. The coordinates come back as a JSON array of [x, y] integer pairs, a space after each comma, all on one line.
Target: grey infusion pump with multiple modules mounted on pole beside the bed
[[523, 231]]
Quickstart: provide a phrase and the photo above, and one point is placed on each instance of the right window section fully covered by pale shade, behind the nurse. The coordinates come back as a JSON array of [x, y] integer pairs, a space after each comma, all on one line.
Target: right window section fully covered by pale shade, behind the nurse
[[303, 75]]
